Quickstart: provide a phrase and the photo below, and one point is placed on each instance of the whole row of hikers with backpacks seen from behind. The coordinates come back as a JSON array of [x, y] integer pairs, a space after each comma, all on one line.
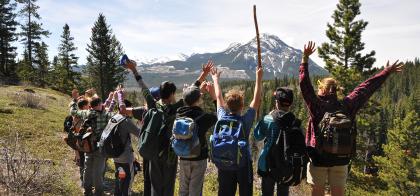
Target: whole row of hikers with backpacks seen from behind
[[174, 133]]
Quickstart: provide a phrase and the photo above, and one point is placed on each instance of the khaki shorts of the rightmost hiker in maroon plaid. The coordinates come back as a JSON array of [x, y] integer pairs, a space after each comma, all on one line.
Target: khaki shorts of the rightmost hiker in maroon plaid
[[336, 175]]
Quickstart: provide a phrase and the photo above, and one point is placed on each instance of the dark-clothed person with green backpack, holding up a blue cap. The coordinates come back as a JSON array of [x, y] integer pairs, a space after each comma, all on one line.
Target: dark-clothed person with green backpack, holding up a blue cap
[[162, 171]]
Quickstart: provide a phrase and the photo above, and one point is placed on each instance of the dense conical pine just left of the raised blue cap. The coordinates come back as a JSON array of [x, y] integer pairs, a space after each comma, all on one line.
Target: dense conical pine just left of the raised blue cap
[[102, 62]]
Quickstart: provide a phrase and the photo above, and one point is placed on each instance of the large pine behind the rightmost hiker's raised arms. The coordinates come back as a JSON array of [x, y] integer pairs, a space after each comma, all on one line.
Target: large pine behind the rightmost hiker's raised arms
[[345, 47]]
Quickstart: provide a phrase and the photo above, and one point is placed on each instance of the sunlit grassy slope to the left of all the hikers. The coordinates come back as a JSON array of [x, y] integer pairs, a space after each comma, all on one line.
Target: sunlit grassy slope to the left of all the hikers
[[40, 131]]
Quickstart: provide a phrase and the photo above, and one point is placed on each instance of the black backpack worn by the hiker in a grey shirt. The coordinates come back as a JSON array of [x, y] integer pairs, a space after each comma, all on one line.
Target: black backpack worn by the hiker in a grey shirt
[[112, 144]]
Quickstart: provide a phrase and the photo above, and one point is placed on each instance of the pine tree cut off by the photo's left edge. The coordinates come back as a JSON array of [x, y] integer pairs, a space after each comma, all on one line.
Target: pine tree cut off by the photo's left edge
[[8, 35]]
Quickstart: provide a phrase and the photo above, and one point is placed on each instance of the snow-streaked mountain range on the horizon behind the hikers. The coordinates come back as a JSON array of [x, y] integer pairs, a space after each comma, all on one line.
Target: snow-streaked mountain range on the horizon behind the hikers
[[238, 61]]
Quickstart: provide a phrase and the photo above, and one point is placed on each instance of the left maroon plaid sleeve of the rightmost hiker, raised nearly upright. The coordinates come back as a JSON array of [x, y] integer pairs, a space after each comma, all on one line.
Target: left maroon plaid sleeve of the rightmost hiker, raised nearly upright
[[308, 92]]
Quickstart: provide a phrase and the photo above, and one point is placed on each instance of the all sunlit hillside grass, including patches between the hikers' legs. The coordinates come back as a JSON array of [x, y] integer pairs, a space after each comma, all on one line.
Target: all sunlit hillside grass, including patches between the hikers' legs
[[40, 132]]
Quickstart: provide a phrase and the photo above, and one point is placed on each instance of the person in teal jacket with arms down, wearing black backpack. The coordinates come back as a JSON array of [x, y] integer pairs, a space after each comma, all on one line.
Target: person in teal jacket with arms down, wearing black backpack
[[268, 130]]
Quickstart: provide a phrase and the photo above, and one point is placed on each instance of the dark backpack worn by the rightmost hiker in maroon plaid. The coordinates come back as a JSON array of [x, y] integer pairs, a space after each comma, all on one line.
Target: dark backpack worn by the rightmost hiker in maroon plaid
[[337, 134]]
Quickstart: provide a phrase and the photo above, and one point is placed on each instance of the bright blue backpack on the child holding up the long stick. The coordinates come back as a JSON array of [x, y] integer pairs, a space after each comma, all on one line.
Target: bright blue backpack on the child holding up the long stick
[[228, 144]]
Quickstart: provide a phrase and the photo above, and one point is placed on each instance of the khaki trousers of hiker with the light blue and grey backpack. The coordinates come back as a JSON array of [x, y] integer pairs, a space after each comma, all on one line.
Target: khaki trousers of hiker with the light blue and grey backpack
[[191, 177]]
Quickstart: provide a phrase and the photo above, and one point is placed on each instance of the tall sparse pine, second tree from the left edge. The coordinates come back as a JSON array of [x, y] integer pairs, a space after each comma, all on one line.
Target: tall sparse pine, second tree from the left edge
[[32, 31]]
